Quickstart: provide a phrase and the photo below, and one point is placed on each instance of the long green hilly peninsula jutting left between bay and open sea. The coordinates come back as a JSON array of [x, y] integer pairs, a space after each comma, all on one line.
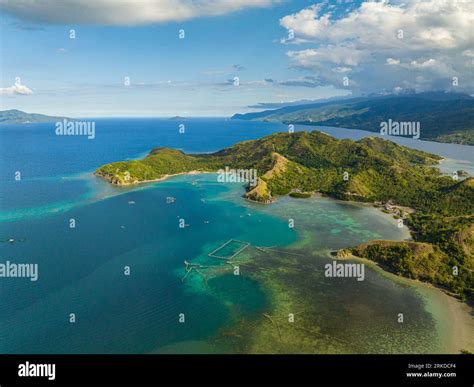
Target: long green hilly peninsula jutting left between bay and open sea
[[371, 169]]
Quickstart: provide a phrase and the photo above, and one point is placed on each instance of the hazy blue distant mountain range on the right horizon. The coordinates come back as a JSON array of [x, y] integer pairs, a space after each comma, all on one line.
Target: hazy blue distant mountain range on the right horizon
[[443, 117]]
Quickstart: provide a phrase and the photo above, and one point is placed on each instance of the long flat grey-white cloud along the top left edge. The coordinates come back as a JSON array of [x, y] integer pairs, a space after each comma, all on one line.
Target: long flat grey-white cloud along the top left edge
[[123, 12]]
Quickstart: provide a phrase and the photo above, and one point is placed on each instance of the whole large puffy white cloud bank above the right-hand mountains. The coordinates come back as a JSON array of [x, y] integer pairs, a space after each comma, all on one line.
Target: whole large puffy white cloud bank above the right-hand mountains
[[431, 38]]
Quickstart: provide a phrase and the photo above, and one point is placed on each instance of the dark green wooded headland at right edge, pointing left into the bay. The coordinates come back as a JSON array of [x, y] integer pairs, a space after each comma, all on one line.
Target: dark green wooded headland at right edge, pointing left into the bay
[[443, 253]]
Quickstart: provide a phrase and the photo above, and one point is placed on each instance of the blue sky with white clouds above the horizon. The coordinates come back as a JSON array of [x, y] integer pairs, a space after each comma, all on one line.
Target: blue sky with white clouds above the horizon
[[103, 58]]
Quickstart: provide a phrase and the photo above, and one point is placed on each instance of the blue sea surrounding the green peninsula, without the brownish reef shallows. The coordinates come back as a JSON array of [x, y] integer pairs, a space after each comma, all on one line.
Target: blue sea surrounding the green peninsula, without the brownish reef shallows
[[81, 269]]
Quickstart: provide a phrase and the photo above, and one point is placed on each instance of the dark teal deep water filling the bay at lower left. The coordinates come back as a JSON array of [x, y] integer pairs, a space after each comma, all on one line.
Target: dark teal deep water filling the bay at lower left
[[81, 271]]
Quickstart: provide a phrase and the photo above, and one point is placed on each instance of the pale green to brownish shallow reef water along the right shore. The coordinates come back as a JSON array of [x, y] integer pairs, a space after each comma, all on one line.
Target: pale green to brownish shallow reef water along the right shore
[[351, 316]]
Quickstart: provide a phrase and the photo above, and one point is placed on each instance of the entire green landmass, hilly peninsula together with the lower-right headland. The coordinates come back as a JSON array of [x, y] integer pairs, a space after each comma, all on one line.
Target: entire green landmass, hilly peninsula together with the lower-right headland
[[402, 181]]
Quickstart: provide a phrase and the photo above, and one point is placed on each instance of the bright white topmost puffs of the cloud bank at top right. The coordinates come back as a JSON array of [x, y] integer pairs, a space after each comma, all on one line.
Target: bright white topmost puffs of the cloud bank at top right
[[430, 23]]
